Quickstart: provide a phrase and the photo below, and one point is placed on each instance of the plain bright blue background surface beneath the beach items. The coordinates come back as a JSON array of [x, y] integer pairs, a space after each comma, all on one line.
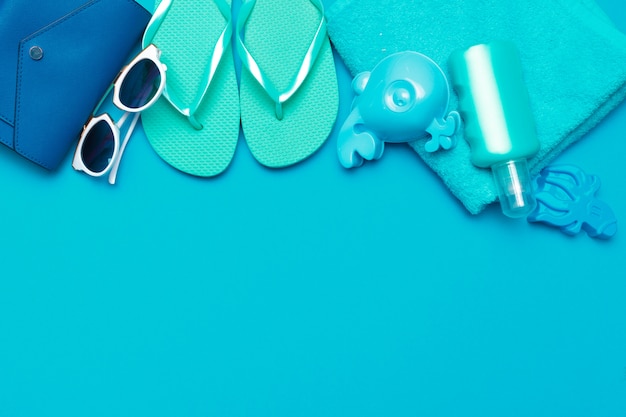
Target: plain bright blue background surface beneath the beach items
[[307, 291]]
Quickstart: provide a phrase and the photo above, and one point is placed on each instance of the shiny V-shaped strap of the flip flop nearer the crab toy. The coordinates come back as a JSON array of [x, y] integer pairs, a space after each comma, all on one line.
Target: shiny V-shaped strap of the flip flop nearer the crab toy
[[250, 63]]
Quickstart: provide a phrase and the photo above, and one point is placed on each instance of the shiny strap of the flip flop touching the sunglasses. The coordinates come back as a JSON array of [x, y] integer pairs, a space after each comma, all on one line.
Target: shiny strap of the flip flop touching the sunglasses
[[218, 52]]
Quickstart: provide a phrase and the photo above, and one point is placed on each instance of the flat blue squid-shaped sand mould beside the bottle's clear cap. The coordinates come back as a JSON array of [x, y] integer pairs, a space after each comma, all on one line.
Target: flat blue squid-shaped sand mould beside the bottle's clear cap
[[566, 199]]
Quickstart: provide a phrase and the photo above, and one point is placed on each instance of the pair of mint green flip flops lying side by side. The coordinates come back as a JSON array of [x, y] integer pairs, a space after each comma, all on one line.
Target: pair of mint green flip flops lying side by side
[[288, 99]]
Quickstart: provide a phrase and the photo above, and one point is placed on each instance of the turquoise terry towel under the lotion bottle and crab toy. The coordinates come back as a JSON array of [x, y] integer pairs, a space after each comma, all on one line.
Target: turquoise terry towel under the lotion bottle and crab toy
[[574, 63]]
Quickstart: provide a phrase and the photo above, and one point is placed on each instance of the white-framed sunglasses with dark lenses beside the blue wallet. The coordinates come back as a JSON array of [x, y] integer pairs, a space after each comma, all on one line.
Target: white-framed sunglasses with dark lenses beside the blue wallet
[[137, 87]]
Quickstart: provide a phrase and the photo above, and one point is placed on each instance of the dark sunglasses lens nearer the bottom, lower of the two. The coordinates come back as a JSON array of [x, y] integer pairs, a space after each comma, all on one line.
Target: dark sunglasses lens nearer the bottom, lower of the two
[[98, 147]]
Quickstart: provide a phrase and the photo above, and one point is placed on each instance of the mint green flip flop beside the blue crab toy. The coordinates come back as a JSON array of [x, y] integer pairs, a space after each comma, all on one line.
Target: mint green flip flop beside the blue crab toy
[[288, 95]]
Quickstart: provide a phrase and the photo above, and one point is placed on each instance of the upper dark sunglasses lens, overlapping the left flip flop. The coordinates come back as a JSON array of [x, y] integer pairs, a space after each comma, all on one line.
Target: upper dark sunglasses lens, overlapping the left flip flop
[[140, 84]]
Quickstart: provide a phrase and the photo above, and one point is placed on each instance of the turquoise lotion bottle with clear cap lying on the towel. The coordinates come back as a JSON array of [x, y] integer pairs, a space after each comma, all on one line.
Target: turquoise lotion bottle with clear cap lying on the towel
[[499, 125]]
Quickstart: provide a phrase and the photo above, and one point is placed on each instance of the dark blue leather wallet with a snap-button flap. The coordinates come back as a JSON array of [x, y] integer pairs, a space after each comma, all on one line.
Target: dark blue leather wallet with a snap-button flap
[[57, 59]]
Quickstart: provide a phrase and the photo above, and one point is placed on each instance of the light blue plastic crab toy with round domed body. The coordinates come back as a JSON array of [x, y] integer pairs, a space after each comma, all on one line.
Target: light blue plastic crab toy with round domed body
[[403, 99]]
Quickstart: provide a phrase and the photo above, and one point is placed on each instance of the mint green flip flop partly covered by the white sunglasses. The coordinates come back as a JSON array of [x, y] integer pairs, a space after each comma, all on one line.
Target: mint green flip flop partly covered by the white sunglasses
[[194, 126]]
